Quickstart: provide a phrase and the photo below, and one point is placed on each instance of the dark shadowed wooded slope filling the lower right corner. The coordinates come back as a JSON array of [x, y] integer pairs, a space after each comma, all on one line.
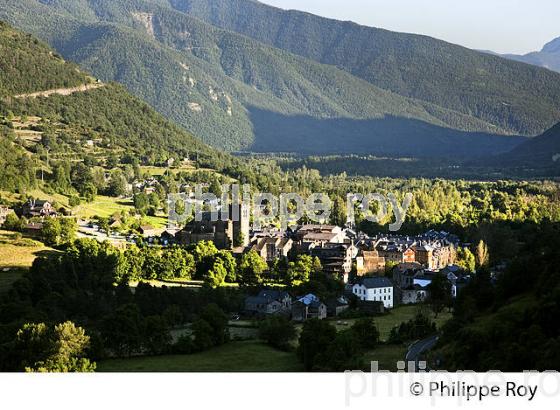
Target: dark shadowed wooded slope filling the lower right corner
[[510, 324]]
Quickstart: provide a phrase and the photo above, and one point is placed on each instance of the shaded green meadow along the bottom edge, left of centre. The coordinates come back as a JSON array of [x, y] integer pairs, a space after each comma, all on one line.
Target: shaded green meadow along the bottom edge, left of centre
[[248, 356]]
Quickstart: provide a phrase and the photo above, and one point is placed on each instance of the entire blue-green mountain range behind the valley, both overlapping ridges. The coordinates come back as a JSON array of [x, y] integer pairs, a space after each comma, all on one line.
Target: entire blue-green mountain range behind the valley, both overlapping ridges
[[242, 75]]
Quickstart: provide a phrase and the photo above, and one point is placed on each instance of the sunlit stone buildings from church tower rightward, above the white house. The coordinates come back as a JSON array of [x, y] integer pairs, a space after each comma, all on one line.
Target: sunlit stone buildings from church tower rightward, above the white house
[[340, 250]]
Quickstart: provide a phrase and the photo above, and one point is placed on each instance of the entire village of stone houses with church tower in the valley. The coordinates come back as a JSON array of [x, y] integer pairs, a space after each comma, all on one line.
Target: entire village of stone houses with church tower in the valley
[[379, 273]]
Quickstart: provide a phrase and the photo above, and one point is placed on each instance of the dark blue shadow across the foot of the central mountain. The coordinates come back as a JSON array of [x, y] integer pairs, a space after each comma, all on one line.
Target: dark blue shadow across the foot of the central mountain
[[391, 136]]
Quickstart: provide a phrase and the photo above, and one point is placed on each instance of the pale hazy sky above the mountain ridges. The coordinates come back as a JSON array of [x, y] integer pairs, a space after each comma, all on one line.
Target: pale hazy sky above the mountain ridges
[[505, 26]]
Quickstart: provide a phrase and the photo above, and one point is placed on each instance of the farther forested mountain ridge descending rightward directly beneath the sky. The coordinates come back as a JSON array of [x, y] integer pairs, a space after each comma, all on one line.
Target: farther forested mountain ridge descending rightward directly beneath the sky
[[512, 96]]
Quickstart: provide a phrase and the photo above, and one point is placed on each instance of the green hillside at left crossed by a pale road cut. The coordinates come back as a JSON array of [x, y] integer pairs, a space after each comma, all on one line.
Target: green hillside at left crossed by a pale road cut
[[117, 124]]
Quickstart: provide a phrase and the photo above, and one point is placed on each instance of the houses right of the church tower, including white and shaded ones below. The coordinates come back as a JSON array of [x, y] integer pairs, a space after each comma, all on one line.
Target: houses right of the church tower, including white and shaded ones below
[[415, 260]]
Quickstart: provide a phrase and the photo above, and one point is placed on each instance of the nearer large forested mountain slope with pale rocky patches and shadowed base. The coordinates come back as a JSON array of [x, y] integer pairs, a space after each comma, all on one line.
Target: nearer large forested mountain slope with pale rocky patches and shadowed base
[[240, 94]]
